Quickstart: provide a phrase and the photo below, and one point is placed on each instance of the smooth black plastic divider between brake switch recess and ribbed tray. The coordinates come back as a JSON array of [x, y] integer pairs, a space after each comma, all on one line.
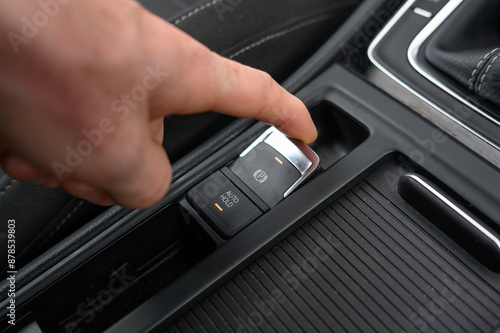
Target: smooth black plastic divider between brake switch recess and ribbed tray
[[393, 130]]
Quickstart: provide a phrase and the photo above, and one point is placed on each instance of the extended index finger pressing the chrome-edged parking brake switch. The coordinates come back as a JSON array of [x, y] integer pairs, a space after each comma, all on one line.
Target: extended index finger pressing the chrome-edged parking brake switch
[[202, 80]]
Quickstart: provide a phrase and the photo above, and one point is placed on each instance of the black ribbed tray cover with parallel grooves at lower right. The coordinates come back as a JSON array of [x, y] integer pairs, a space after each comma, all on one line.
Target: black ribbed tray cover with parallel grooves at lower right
[[361, 265]]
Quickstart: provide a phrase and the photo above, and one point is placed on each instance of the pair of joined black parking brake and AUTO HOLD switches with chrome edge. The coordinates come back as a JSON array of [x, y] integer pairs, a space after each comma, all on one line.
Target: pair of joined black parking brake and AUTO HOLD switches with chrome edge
[[266, 172]]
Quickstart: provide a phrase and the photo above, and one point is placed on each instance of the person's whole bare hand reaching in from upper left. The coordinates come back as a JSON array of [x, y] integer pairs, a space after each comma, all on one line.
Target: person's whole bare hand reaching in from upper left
[[82, 100]]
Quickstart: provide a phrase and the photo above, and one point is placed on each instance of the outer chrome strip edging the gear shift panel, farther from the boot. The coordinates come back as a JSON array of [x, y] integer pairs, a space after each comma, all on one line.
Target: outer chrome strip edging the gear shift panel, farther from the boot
[[371, 56]]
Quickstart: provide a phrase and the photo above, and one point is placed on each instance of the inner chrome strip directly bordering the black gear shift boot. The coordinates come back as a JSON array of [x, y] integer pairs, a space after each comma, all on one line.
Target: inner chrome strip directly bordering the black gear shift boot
[[420, 39]]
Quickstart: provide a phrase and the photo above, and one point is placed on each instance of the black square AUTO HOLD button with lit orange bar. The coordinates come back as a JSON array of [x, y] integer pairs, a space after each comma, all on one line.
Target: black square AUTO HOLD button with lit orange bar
[[223, 204]]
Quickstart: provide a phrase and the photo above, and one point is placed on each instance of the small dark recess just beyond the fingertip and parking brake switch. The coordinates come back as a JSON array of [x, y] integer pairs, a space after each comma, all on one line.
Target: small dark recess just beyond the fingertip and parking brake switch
[[338, 133]]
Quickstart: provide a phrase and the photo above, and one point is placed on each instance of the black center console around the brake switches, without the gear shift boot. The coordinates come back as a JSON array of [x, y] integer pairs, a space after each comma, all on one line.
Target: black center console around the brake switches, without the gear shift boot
[[398, 230]]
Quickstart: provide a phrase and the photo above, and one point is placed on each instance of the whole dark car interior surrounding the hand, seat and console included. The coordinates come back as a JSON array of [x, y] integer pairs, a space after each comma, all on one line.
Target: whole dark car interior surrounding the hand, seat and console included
[[388, 222]]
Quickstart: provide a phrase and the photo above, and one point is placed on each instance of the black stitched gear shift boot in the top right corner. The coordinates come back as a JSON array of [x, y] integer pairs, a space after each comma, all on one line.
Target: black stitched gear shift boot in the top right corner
[[467, 48]]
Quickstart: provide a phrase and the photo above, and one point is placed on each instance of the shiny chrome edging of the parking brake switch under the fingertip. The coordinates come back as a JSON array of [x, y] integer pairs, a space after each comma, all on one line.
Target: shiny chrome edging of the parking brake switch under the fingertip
[[300, 155]]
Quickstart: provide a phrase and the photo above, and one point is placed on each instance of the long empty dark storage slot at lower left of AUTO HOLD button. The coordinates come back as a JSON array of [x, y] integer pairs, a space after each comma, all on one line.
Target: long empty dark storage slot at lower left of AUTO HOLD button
[[119, 278]]
